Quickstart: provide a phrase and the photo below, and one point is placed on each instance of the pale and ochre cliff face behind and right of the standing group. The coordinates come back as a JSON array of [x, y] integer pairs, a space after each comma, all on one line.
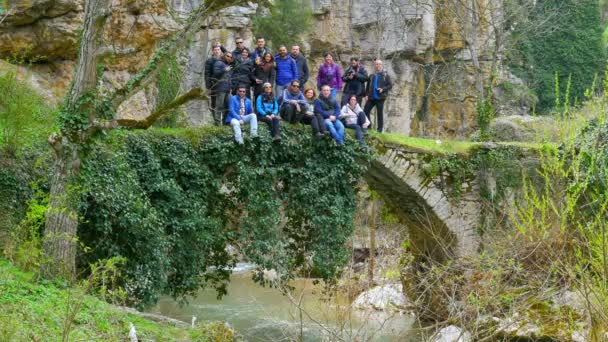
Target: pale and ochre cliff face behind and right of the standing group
[[424, 46]]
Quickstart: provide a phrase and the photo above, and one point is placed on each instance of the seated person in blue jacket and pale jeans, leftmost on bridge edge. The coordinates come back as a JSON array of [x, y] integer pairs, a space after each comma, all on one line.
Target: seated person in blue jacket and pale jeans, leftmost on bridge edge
[[240, 113]]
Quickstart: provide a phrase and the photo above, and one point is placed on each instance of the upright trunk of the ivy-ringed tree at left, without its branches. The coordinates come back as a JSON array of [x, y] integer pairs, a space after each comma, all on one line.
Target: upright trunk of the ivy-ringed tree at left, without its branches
[[62, 219]]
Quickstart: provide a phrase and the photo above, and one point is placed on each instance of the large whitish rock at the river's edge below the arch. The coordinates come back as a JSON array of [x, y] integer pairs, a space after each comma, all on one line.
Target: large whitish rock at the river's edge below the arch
[[381, 298]]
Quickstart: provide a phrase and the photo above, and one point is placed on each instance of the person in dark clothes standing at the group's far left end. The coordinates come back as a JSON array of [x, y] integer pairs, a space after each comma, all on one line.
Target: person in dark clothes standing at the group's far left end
[[222, 75]]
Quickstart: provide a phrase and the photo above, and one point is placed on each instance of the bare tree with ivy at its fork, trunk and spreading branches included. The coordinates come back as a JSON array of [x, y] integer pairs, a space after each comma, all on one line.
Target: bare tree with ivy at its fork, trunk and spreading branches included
[[88, 111]]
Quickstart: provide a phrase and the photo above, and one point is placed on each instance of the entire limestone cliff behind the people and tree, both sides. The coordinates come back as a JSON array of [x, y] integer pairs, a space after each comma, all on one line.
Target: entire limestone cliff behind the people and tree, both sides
[[436, 57]]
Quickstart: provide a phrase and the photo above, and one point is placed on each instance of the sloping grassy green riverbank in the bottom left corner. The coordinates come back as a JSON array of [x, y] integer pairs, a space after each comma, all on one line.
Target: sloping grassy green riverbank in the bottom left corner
[[33, 310]]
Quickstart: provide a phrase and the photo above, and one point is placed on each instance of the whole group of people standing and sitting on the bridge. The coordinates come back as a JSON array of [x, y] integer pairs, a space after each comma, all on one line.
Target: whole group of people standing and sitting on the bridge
[[277, 81]]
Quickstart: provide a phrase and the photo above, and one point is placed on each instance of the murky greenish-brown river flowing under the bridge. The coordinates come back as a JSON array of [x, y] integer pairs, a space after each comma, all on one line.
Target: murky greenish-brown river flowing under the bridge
[[264, 314]]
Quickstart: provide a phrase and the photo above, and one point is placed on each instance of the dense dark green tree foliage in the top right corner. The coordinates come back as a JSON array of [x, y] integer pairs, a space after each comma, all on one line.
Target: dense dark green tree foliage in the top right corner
[[573, 49]]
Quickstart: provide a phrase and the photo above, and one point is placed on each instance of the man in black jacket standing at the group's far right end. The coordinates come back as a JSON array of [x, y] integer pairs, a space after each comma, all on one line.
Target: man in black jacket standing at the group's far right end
[[378, 87]]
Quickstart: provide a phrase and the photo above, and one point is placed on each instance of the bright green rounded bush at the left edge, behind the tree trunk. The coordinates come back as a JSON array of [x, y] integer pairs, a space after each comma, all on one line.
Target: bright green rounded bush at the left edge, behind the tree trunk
[[24, 118]]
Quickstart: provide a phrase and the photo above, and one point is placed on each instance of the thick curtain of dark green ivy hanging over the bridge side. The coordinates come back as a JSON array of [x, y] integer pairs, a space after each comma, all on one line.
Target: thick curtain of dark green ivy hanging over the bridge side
[[170, 206]]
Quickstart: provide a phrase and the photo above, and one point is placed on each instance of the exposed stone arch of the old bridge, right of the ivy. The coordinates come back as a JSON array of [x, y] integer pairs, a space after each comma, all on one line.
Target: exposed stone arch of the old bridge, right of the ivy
[[440, 226]]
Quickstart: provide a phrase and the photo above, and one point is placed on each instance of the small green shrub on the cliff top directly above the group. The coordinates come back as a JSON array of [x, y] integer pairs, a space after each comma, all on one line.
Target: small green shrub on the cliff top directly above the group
[[287, 21]]
